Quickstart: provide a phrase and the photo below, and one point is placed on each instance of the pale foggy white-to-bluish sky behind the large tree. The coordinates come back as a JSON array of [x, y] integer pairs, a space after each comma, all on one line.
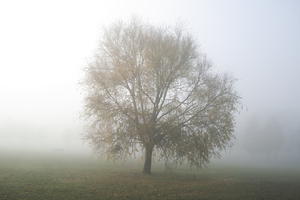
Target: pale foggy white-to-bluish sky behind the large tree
[[44, 45]]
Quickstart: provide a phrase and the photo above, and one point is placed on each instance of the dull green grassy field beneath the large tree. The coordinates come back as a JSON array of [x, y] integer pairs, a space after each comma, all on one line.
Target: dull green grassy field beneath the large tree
[[67, 177]]
